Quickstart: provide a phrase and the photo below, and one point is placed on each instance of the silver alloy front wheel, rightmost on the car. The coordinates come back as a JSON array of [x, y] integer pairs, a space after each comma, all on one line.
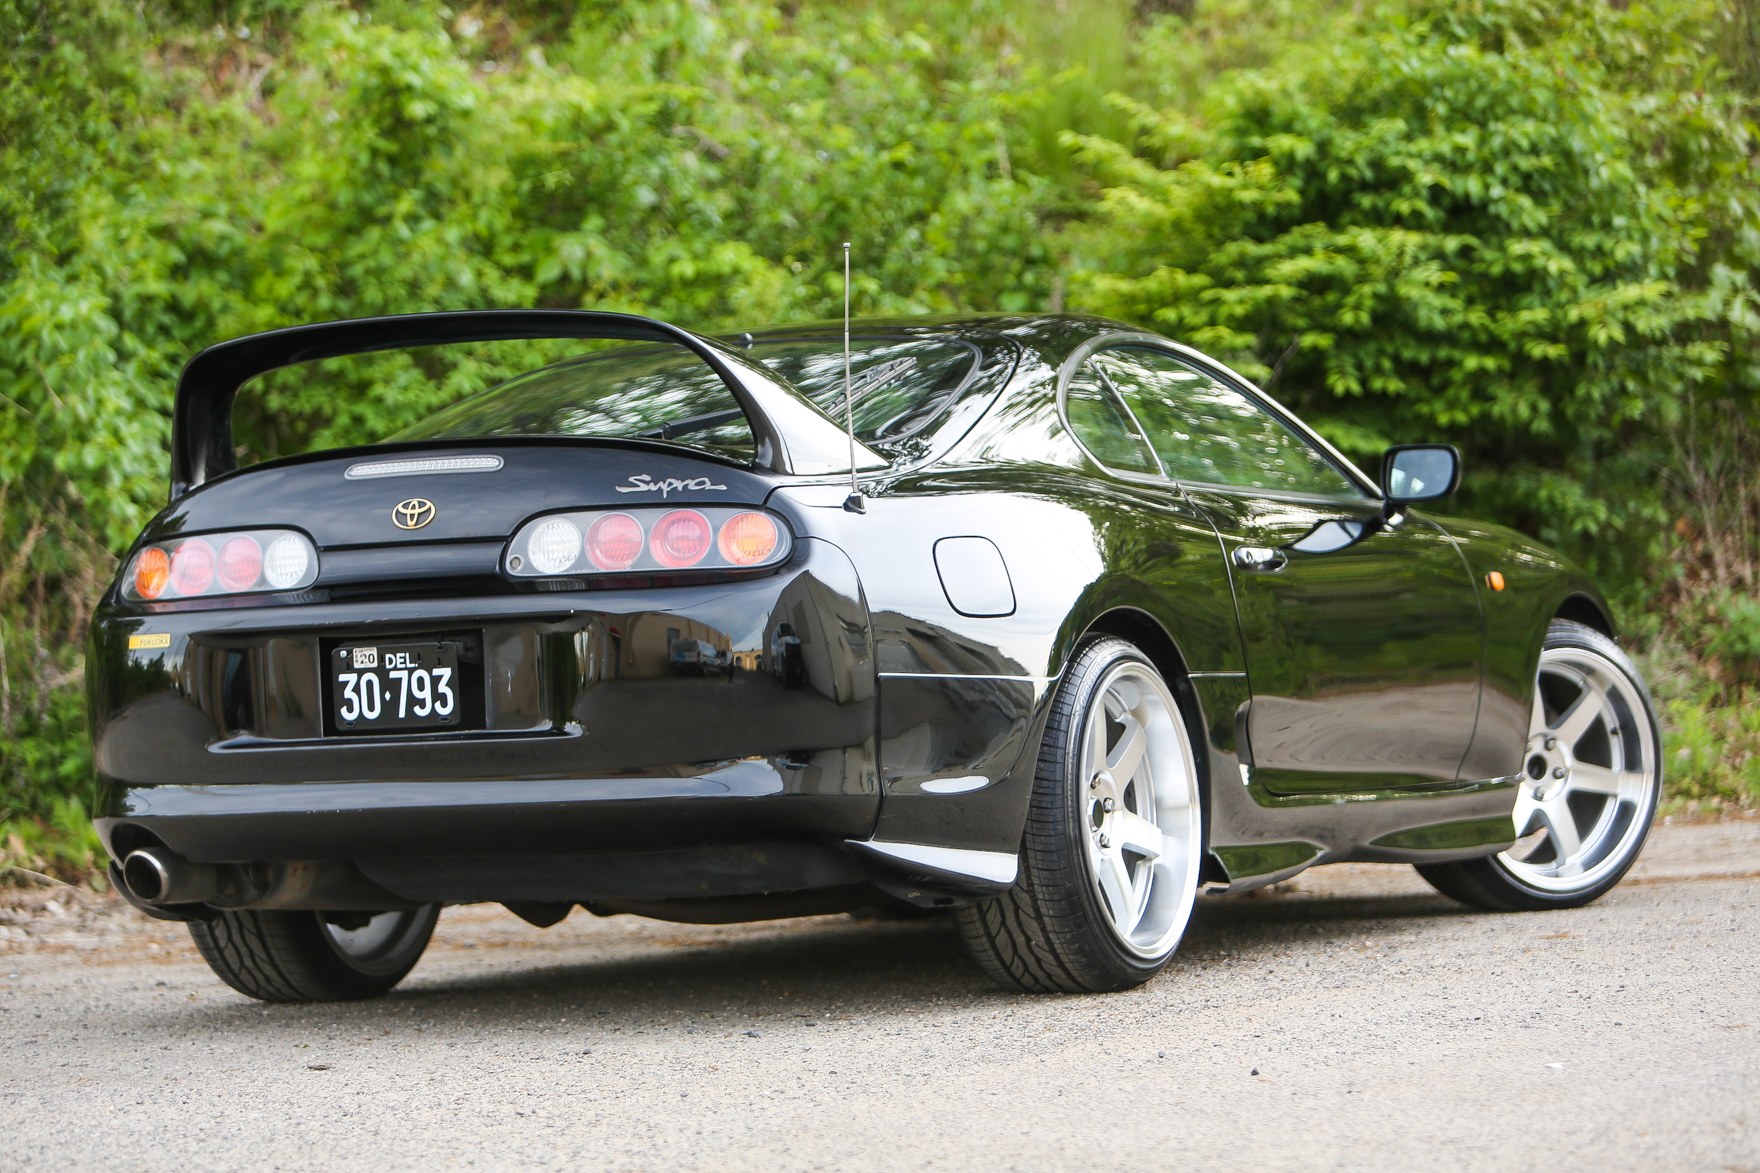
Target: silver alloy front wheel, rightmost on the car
[[1590, 776]]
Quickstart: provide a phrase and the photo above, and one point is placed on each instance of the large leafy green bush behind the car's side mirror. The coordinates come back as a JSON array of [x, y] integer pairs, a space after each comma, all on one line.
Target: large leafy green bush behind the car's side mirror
[[1479, 223]]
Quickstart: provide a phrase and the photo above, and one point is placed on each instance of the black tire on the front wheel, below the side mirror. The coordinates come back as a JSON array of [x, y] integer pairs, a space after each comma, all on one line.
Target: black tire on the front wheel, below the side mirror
[[1497, 883]]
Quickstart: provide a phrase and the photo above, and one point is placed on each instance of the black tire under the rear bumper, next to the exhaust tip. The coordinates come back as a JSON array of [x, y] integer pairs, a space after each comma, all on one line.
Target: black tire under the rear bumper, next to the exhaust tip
[[298, 957]]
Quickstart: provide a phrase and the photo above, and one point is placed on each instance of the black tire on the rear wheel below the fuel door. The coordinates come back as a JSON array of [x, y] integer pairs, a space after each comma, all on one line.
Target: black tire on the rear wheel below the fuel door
[[1052, 933]]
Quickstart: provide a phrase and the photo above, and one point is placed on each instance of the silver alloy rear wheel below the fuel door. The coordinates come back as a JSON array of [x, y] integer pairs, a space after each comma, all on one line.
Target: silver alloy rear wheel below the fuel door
[[1141, 809]]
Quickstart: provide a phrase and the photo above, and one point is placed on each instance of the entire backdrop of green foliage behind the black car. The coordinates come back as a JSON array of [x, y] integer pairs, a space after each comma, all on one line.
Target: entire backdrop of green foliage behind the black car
[[1529, 228]]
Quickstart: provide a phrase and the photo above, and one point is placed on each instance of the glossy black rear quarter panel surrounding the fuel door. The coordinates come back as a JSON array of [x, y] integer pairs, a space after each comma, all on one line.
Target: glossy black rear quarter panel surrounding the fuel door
[[965, 697]]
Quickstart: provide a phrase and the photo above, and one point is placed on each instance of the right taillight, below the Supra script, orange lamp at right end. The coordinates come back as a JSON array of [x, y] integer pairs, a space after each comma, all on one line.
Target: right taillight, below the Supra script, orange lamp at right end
[[590, 543]]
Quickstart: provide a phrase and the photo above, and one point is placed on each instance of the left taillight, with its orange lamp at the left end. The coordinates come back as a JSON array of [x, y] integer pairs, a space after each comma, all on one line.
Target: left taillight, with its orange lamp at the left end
[[253, 561]]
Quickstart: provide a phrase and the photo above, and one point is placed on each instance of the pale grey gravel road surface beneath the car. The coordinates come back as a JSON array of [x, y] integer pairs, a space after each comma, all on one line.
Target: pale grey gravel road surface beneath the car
[[1351, 1021]]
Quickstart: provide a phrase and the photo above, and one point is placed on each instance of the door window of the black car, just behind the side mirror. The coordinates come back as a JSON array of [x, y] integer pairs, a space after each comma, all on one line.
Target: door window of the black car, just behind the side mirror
[[1206, 431]]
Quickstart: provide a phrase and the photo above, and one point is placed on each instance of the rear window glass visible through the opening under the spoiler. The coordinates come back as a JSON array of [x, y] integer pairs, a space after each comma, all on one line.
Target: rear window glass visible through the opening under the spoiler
[[636, 394]]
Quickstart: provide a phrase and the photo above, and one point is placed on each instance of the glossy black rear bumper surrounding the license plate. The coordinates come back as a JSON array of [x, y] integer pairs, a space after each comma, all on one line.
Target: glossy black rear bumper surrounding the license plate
[[210, 737]]
